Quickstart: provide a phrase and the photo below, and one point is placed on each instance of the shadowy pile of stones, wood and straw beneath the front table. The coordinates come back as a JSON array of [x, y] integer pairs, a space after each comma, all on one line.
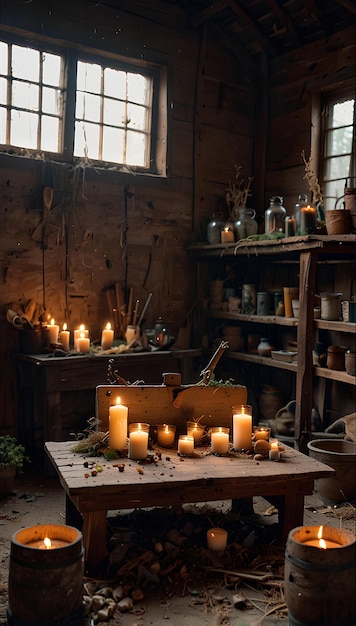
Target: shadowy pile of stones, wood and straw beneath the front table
[[166, 551]]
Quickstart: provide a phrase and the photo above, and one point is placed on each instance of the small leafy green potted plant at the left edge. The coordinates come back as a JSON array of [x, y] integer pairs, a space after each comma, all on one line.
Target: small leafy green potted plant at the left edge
[[12, 459]]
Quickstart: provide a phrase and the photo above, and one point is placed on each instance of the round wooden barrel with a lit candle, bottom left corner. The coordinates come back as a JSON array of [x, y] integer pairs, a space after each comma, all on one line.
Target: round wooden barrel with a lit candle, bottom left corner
[[46, 585]]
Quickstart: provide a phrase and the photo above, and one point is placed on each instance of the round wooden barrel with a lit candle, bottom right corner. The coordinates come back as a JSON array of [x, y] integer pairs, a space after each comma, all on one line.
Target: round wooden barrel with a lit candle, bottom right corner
[[319, 583]]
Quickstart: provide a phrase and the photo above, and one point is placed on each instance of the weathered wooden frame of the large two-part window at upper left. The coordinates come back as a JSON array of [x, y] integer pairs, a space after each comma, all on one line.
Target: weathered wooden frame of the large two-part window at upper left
[[71, 53]]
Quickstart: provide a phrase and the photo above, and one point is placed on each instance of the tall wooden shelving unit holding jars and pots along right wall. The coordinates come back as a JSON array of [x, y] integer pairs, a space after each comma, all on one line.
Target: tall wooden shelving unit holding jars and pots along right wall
[[303, 256]]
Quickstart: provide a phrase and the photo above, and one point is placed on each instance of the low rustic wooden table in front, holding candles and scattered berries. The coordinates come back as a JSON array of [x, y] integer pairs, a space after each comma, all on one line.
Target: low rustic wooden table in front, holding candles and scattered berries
[[174, 481]]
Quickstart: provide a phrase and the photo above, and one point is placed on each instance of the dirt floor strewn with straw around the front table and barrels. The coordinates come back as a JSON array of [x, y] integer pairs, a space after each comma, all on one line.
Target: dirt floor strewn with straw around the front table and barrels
[[203, 601]]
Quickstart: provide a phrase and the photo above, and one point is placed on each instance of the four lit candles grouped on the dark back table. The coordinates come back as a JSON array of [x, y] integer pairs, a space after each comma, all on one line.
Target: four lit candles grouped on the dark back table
[[81, 337]]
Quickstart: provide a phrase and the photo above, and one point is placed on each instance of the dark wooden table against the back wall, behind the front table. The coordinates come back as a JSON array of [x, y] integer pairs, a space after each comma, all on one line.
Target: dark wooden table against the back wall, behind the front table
[[57, 394]]
